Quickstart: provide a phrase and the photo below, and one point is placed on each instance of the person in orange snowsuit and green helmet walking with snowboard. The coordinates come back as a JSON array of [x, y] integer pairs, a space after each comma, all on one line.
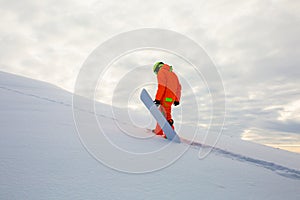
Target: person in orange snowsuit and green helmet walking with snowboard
[[168, 92]]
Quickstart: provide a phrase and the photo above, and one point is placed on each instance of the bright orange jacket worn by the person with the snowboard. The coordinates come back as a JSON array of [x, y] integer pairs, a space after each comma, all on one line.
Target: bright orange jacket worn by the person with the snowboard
[[169, 88]]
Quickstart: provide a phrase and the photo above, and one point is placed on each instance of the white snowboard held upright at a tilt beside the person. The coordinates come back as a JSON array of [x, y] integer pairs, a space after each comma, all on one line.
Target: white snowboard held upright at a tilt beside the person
[[161, 120]]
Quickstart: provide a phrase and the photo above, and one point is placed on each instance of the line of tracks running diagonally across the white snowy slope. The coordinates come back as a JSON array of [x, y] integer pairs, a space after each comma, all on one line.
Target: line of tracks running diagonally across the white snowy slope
[[279, 169]]
